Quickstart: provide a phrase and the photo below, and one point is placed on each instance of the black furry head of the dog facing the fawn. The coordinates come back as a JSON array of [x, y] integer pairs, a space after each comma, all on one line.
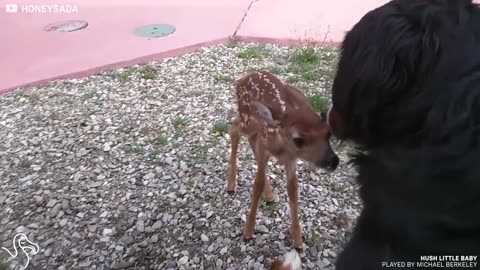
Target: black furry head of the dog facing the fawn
[[403, 71]]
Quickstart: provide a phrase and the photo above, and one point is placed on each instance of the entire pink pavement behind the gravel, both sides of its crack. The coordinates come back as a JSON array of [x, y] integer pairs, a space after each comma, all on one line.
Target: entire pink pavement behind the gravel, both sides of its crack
[[31, 55]]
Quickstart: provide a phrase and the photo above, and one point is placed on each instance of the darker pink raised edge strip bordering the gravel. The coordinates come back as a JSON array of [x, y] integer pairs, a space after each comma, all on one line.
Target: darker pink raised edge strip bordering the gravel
[[159, 56]]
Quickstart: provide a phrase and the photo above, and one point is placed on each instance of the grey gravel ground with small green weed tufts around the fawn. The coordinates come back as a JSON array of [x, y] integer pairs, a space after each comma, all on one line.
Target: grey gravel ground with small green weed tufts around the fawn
[[127, 169]]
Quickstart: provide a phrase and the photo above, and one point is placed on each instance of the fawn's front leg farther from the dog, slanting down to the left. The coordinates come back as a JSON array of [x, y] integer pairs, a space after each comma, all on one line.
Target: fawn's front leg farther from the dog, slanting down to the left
[[258, 186]]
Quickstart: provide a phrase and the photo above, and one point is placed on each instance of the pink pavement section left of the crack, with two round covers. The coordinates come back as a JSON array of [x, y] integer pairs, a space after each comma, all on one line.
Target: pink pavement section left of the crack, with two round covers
[[32, 55]]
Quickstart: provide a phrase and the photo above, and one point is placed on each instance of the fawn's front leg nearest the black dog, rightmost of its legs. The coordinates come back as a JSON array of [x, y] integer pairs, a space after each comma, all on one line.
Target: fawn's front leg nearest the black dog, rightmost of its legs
[[292, 191]]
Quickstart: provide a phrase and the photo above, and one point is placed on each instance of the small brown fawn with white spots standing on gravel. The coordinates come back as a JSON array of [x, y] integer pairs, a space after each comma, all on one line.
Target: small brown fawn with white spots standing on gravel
[[278, 121]]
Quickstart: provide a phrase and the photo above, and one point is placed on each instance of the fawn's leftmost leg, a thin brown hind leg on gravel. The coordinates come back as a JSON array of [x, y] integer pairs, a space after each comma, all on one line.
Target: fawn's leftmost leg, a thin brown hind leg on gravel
[[235, 135]]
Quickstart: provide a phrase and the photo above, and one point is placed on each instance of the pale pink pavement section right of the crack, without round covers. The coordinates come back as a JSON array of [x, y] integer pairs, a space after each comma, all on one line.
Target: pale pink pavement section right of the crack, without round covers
[[326, 21]]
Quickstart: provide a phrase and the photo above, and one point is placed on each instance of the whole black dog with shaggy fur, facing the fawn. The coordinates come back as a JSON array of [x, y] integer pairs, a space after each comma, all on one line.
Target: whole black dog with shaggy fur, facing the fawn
[[407, 94]]
